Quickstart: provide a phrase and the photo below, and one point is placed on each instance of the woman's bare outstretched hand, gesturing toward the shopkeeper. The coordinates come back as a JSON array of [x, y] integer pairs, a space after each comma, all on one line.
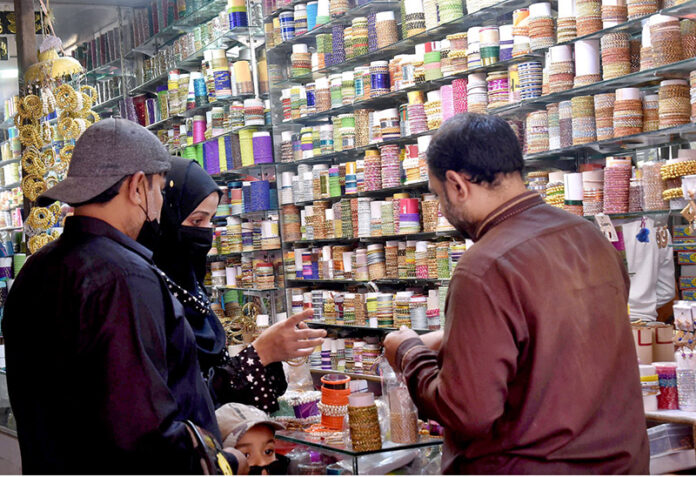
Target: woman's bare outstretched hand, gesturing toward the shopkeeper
[[288, 339]]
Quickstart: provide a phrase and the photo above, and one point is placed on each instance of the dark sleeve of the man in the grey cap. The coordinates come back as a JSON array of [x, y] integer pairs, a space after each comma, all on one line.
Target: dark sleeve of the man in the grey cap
[[129, 356]]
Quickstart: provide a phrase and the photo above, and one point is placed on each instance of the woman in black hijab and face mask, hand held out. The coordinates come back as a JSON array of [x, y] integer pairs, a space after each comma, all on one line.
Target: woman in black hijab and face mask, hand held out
[[255, 376]]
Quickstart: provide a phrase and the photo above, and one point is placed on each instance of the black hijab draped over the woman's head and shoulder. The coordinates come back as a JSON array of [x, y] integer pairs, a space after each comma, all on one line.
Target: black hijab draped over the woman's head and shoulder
[[187, 186]]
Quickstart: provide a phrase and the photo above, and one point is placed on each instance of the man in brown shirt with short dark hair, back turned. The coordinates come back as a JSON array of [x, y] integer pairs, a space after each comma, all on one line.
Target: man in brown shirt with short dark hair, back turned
[[536, 370]]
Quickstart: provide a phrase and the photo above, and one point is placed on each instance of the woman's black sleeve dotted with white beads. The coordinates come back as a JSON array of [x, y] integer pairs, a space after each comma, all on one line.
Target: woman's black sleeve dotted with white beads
[[243, 379]]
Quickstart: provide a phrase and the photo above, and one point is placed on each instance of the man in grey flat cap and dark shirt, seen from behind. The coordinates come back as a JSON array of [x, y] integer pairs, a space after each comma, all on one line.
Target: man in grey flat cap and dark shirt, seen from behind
[[101, 364]]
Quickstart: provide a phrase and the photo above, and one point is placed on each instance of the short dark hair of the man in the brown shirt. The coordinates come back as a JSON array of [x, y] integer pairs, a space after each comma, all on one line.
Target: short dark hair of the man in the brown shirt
[[481, 145]]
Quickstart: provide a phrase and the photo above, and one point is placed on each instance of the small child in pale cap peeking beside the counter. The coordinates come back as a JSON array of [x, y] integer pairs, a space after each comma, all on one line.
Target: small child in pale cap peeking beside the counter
[[252, 432]]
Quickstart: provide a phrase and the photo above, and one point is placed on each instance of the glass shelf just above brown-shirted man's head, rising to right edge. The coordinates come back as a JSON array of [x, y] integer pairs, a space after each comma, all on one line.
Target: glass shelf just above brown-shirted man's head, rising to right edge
[[678, 70]]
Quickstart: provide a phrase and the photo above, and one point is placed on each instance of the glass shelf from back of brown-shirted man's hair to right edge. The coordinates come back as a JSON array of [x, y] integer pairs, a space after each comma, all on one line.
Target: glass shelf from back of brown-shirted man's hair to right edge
[[686, 132]]
